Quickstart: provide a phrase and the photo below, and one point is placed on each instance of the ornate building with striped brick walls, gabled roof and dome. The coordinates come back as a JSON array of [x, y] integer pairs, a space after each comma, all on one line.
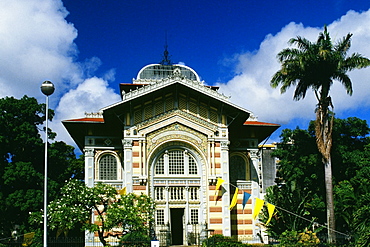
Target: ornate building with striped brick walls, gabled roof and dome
[[171, 137]]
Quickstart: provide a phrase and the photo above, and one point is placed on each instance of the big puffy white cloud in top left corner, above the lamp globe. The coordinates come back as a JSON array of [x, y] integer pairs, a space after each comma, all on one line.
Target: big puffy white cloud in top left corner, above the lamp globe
[[36, 45]]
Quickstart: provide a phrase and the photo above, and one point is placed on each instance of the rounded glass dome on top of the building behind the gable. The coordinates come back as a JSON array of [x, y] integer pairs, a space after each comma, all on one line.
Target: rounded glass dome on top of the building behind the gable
[[162, 71]]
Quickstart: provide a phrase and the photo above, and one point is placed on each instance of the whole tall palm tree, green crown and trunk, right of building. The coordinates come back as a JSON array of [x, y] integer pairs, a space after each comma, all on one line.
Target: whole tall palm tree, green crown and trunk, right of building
[[317, 66]]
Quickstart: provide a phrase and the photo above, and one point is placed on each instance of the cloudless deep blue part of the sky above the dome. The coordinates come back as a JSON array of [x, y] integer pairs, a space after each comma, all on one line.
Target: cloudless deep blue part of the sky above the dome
[[126, 35]]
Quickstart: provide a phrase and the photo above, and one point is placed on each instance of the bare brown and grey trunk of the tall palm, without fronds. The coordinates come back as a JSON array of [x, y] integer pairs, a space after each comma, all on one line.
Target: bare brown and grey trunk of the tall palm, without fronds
[[323, 131]]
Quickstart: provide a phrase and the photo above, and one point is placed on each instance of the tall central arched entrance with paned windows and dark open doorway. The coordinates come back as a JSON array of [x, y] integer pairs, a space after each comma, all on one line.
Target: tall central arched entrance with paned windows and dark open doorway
[[178, 189]]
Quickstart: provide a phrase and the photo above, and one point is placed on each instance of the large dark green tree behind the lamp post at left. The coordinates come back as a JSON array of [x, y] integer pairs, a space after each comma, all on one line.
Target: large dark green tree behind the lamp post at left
[[22, 162]]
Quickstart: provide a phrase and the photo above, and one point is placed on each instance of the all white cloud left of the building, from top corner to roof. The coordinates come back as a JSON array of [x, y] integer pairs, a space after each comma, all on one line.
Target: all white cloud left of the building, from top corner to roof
[[37, 44]]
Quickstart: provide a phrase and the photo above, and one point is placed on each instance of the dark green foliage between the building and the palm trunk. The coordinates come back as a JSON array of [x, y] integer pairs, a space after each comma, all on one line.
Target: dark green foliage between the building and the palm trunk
[[299, 187]]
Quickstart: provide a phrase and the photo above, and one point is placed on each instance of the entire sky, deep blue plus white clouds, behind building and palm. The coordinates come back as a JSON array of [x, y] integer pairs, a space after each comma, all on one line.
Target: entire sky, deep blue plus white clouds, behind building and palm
[[88, 47]]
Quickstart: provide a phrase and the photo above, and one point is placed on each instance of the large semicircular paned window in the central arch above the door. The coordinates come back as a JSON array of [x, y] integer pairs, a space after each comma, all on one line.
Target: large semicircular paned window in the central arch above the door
[[176, 162]]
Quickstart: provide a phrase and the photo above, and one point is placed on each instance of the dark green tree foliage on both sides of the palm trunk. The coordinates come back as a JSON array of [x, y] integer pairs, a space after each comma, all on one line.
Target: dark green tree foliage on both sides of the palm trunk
[[301, 190]]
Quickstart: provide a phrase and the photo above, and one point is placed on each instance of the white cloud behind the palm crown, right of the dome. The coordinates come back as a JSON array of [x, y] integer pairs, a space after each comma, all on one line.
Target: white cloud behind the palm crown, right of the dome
[[251, 89]]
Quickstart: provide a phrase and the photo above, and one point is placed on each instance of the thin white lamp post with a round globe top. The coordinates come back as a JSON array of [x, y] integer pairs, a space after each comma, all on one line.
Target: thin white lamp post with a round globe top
[[47, 88]]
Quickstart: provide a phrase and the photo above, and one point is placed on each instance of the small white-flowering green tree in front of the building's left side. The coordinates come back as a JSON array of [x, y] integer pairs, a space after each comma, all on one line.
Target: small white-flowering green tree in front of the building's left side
[[129, 213]]
